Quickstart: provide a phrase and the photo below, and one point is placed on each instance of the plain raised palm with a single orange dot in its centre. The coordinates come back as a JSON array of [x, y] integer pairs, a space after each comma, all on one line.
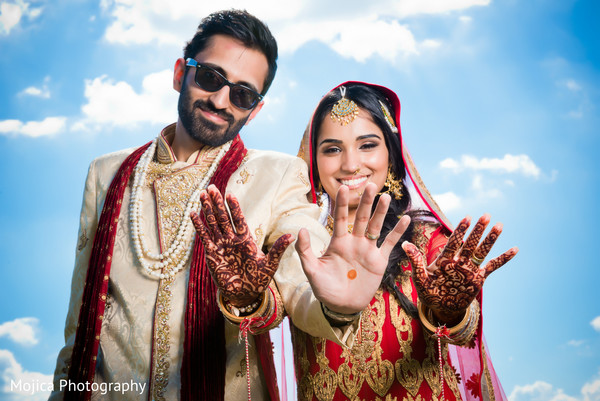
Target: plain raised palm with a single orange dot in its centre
[[346, 277]]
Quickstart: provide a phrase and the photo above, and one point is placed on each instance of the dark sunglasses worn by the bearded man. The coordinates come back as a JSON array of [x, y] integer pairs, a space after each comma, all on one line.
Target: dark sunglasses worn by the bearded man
[[211, 80]]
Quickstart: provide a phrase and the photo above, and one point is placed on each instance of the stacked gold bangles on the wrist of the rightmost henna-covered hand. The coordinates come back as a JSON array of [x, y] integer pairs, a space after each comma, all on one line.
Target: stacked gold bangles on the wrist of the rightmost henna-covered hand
[[457, 335]]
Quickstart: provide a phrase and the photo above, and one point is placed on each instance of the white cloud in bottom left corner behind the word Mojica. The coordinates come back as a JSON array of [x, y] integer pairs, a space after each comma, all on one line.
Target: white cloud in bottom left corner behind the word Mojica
[[17, 384]]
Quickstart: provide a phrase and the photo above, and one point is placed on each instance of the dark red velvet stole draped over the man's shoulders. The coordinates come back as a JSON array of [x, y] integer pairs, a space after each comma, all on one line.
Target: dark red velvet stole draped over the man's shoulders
[[203, 364]]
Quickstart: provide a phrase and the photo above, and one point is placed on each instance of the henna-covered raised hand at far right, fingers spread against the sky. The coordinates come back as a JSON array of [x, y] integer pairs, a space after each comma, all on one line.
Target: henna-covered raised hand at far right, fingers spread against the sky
[[453, 280]]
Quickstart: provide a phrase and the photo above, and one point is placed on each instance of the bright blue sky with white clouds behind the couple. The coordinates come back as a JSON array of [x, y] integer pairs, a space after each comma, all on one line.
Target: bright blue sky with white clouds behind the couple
[[499, 109]]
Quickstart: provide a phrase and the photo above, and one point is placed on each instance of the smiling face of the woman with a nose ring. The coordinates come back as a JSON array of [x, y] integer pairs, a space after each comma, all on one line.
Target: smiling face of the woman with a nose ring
[[351, 155]]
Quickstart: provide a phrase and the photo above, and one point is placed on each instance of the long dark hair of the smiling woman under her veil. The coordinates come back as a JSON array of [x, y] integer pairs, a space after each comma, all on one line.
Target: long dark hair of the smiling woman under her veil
[[367, 98]]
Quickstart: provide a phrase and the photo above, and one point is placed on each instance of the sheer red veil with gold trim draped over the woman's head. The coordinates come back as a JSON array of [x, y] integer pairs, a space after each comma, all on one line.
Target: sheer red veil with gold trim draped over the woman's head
[[479, 379]]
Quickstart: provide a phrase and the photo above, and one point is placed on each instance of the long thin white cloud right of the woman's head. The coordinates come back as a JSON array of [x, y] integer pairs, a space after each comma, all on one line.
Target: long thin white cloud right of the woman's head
[[520, 164]]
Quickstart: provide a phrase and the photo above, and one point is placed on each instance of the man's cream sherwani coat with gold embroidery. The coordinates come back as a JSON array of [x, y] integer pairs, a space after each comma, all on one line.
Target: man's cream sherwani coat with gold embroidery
[[271, 188]]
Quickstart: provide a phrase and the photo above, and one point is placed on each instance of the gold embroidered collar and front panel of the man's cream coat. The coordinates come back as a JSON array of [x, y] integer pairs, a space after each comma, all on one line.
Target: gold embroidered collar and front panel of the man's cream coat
[[172, 190]]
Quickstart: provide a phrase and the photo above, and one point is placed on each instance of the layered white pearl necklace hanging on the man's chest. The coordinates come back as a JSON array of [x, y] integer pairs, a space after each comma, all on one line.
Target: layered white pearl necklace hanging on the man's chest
[[180, 250]]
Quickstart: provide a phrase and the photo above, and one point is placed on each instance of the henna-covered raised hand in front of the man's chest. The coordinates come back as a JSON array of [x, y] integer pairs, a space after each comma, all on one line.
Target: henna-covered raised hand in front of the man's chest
[[240, 270]]
